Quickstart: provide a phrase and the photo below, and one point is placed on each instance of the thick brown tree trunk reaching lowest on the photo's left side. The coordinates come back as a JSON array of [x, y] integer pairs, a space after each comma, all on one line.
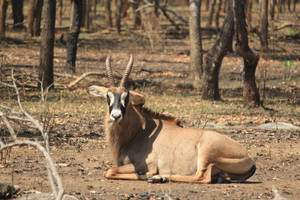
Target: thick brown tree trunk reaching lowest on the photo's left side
[[47, 44]]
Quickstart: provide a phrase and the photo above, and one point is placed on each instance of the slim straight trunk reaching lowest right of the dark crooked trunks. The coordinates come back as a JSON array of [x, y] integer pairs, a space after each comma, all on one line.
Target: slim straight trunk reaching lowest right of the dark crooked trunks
[[264, 24]]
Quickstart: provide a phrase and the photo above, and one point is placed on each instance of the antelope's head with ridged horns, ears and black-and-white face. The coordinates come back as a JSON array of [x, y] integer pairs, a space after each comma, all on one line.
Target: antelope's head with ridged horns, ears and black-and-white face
[[118, 98]]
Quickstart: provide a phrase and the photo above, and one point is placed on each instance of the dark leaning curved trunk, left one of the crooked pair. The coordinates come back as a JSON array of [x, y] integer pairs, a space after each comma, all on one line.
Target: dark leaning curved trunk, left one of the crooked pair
[[214, 57]]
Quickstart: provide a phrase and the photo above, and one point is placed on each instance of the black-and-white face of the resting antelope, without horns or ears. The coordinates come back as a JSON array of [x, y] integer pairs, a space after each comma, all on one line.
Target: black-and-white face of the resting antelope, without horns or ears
[[117, 102]]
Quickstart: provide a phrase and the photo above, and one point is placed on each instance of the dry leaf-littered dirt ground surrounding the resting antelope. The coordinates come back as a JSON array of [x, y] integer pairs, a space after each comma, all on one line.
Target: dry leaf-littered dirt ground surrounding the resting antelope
[[162, 73]]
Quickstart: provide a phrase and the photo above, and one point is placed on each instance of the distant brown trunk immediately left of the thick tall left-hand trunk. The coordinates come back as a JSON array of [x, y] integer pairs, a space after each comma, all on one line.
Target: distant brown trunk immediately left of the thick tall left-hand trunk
[[34, 17]]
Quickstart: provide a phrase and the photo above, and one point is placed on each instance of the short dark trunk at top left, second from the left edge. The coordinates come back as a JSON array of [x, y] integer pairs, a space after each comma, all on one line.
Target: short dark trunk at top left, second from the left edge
[[17, 7]]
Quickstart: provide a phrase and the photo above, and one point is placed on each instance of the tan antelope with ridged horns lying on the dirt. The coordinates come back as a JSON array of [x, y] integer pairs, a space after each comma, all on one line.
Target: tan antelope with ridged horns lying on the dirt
[[150, 146]]
